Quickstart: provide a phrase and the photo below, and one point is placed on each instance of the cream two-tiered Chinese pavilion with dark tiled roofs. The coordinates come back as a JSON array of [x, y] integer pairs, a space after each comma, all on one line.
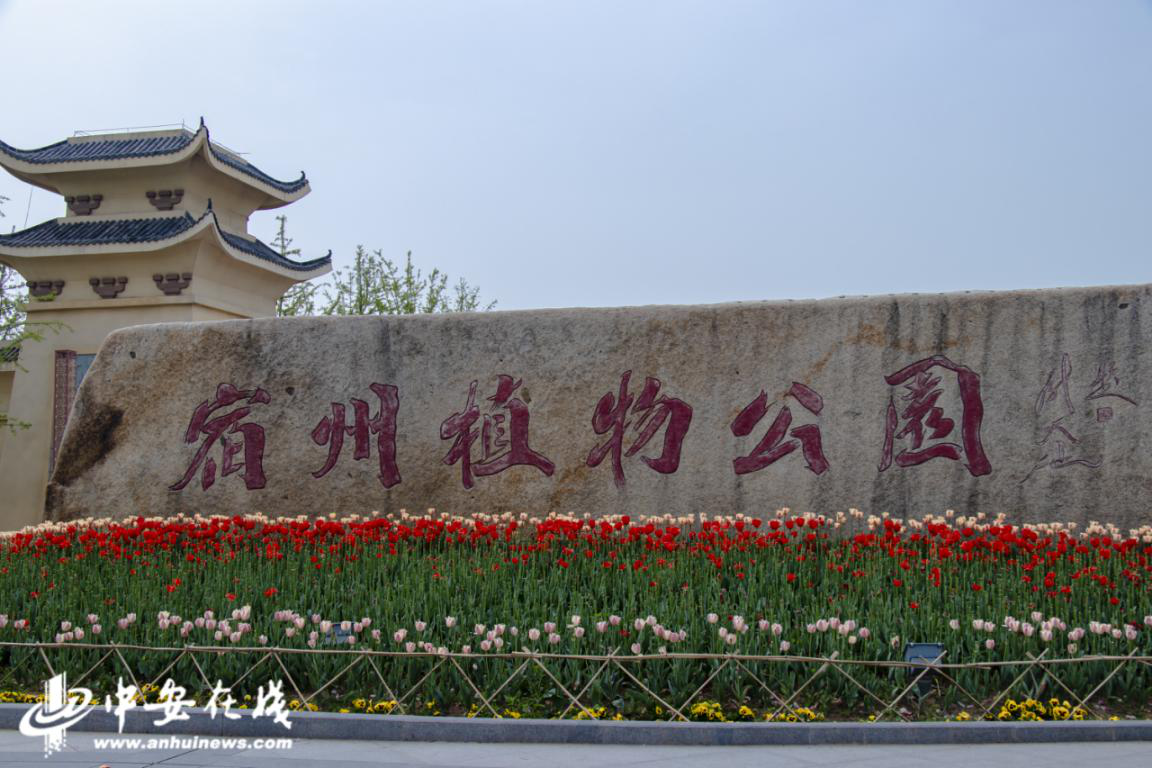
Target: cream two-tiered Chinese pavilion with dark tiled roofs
[[156, 231]]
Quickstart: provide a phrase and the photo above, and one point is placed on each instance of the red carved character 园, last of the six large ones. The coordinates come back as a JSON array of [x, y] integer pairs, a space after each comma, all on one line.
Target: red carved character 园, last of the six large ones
[[922, 422]]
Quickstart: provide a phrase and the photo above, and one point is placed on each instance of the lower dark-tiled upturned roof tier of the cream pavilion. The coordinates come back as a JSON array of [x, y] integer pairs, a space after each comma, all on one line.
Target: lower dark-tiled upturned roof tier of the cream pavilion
[[147, 234]]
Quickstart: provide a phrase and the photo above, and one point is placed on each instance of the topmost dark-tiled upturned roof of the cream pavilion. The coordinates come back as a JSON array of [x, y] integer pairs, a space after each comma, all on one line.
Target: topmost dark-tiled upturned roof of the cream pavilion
[[135, 150]]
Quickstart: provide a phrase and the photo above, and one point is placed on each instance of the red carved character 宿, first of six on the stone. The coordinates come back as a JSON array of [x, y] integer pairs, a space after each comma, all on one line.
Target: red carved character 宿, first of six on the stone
[[230, 431]]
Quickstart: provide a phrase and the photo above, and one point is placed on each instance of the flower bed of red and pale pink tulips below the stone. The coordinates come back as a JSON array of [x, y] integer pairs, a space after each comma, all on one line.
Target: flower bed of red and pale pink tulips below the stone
[[783, 619]]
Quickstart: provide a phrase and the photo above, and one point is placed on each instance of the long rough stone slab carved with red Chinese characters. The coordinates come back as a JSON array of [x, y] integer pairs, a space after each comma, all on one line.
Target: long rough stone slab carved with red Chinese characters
[[1063, 378]]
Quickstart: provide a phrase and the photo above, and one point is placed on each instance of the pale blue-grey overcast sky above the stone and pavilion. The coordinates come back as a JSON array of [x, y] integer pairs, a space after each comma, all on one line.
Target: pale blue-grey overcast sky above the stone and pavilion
[[635, 153]]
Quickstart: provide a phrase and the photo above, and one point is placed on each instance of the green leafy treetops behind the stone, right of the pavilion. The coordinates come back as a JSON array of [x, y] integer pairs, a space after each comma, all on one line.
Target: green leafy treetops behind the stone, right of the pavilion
[[375, 285]]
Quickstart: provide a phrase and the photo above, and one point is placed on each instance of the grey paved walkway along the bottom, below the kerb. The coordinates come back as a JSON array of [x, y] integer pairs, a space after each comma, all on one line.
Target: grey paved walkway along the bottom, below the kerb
[[18, 750]]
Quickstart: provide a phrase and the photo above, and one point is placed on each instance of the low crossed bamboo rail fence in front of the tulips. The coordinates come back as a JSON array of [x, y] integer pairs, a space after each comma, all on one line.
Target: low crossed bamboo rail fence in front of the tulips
[[526, 659]]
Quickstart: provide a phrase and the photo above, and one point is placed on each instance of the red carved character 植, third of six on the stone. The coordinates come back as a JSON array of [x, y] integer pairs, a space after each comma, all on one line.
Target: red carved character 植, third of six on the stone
[[503, 435]]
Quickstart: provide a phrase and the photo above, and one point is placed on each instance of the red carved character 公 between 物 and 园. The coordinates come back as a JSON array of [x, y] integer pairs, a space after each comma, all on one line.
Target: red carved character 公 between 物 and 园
[[775, 446]]
